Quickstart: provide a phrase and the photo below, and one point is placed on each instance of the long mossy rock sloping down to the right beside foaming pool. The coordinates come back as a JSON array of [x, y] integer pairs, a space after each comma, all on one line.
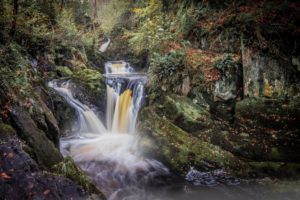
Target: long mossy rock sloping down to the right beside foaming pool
[[178, 149]]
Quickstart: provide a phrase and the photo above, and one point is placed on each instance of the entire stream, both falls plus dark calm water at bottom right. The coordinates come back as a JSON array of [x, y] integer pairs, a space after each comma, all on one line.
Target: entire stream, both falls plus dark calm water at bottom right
[[108, 151]]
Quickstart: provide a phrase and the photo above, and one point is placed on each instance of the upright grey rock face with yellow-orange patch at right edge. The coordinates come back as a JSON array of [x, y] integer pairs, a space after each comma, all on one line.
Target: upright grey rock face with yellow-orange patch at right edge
[[265, 76]]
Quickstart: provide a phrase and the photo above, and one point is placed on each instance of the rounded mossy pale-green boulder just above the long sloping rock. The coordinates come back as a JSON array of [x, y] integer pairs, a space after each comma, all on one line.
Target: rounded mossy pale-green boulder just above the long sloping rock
[[184, 113]]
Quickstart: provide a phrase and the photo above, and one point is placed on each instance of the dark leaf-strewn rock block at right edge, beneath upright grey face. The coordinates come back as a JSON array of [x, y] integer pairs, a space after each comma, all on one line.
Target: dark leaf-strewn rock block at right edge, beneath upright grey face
[[273, 128]]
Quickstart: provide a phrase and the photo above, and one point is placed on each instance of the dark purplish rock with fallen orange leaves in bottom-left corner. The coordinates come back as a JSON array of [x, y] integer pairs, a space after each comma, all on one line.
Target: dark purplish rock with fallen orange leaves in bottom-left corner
[[20, 178]]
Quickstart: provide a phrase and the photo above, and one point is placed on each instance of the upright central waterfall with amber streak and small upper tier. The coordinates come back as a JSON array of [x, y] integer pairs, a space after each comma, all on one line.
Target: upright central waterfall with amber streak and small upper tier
[[124, 97]]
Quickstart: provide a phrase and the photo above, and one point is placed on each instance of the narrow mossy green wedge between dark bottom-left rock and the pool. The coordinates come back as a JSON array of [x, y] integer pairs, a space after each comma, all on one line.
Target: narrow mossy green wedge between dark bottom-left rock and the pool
[[69, 169]]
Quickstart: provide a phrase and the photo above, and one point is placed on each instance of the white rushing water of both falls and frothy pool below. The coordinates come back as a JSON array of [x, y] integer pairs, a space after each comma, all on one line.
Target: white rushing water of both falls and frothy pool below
[[110, 155]]
